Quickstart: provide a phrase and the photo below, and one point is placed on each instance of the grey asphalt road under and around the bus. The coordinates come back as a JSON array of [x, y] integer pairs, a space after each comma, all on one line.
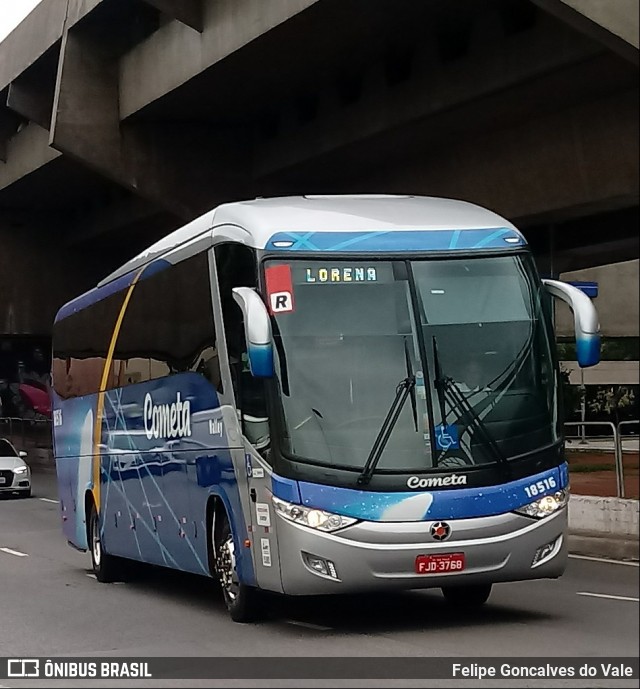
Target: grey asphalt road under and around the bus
[[50, 605]]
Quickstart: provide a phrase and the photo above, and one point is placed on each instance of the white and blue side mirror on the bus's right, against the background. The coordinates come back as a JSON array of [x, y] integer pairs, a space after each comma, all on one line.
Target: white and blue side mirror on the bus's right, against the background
[[585, 318]]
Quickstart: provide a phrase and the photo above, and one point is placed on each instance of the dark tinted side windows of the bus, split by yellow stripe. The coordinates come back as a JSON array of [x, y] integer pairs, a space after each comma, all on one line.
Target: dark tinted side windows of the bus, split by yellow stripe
[[167, 328]]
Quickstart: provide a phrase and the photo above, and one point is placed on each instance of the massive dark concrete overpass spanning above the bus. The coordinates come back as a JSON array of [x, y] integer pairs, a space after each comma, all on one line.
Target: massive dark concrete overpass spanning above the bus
[[121, 120]]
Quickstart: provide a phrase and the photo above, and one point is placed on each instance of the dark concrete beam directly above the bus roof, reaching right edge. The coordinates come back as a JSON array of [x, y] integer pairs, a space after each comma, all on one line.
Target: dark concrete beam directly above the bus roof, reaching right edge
[[574, 158]]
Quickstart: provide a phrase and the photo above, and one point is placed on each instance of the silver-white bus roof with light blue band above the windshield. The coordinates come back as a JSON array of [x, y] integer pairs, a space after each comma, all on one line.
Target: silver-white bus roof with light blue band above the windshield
[[320, 223]]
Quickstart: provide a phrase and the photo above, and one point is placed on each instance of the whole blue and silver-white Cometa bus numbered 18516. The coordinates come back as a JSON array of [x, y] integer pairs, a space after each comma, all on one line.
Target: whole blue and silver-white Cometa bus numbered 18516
[[320, 395]]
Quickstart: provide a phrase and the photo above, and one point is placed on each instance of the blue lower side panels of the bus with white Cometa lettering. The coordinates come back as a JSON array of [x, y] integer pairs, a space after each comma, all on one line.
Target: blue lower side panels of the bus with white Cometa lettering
[[164, 451]]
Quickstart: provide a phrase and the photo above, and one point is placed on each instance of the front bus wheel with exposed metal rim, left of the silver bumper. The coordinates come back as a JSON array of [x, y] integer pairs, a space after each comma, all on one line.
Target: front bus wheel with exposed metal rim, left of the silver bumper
[[242, 601]]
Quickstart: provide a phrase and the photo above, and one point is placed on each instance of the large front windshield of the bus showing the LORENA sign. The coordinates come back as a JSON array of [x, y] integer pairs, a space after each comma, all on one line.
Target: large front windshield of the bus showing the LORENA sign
[[356, 330]]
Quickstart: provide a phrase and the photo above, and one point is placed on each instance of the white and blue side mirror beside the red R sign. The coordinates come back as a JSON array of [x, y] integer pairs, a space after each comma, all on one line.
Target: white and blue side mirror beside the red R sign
[[257, 330]]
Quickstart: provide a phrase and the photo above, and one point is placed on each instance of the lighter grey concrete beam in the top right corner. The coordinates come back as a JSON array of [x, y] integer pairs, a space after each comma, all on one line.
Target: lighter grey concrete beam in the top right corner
[[614, 24]]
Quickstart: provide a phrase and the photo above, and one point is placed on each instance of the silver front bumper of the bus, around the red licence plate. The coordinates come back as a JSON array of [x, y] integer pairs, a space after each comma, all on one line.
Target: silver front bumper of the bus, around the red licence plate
[[382, 555]]
